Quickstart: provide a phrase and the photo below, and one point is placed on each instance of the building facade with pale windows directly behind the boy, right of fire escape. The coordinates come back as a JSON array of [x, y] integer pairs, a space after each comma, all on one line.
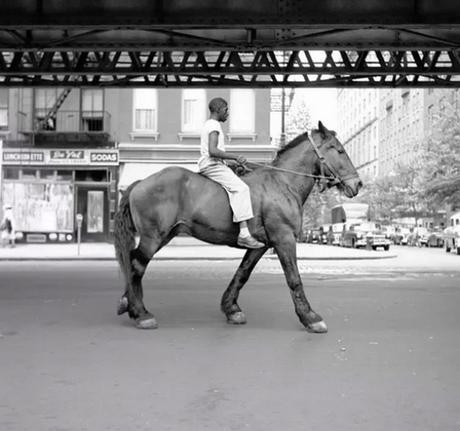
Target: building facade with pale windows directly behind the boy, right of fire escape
[[157, 128]]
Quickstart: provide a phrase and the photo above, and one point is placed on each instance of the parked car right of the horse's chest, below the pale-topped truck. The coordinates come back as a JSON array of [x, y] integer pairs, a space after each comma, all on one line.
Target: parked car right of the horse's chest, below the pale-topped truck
[[366, 234]]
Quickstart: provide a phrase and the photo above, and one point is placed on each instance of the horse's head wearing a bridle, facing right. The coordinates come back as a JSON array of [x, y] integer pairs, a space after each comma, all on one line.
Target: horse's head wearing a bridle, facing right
[[334, 161]]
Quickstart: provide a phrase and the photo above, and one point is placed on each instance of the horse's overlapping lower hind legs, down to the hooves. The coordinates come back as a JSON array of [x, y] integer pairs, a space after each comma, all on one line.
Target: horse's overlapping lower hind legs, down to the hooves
[[132, 300]]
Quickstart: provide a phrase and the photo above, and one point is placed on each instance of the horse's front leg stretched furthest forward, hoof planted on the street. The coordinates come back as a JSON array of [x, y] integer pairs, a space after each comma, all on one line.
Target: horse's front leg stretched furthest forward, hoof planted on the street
[[287, 253]]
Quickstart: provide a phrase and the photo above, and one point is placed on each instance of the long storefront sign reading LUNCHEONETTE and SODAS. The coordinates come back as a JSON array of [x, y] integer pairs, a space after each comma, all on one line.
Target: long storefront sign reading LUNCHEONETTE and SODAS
[[60, 157]]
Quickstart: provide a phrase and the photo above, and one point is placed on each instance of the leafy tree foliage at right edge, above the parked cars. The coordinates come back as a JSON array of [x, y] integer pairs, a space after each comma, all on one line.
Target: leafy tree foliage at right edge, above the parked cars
[[431, 180]]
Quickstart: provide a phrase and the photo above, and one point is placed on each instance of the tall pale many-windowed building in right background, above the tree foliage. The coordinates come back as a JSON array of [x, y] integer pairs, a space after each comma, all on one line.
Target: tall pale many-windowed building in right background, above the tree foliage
[[382, 128]]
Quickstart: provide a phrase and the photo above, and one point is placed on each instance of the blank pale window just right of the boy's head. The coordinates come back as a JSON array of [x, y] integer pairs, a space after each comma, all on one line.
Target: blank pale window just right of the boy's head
[[242, 111]]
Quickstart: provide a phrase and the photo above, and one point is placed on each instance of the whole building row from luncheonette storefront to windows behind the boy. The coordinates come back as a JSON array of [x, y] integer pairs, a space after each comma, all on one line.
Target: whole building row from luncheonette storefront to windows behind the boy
[[70, 151]]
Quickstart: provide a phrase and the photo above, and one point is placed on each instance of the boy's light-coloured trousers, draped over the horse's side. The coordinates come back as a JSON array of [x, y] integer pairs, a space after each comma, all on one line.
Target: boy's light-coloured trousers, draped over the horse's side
[[237, 190]]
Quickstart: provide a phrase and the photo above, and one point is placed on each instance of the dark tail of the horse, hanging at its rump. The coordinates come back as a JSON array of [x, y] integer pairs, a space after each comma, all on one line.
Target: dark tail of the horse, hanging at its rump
[[124, 233]]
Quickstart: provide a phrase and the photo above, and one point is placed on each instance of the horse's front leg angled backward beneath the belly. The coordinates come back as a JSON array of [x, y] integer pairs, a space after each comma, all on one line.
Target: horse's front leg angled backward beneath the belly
[[229, 303]]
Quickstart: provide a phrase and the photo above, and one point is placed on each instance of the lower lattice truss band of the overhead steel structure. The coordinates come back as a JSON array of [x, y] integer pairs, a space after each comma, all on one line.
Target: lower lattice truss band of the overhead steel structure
[[231, 68]]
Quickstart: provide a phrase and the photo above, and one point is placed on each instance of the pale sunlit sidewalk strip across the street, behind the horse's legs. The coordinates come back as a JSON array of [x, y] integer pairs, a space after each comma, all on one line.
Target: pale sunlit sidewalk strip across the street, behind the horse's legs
[[180, 248]]
